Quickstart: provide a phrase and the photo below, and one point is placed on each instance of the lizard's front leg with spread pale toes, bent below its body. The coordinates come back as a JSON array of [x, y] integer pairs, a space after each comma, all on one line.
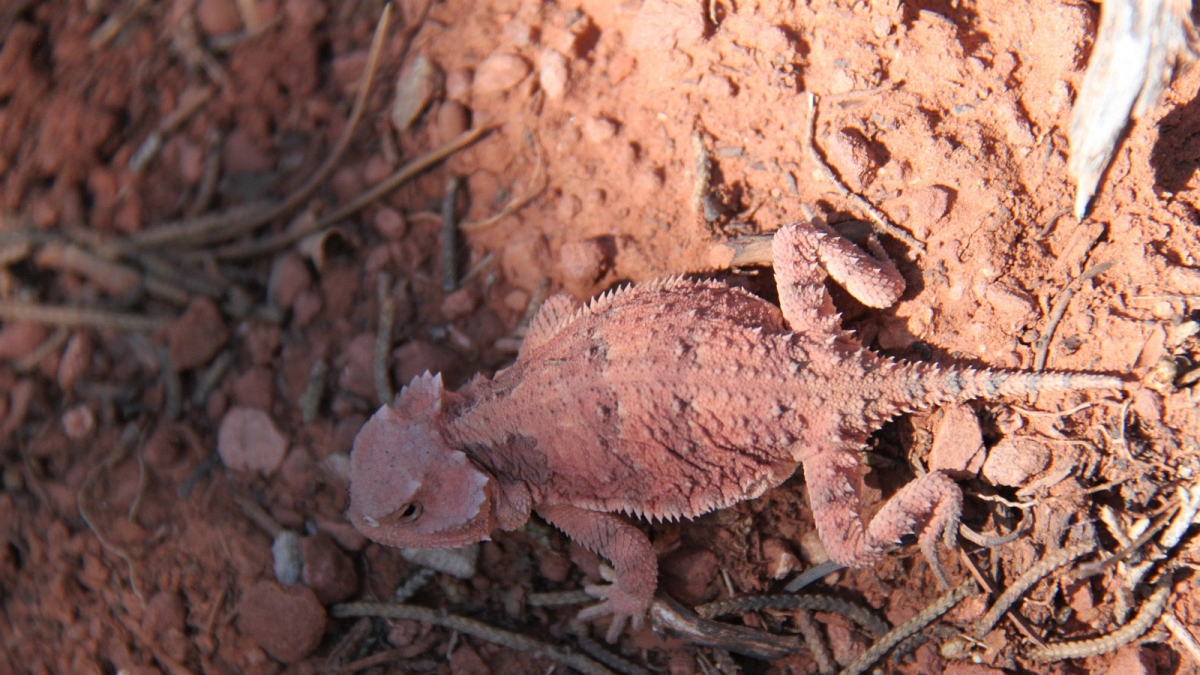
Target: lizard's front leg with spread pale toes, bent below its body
[[632, 557]]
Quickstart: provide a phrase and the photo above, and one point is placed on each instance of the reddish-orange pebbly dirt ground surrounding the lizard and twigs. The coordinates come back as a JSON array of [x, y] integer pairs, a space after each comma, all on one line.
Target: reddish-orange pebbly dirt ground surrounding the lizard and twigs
[[133, 548]]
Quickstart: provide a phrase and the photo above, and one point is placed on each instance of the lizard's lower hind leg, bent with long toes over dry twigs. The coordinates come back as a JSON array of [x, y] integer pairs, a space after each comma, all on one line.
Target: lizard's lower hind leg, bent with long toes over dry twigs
[[929, 507]]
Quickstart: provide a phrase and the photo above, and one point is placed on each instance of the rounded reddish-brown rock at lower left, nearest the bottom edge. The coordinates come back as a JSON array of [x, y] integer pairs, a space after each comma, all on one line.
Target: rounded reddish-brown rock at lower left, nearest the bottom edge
[[286, 622]]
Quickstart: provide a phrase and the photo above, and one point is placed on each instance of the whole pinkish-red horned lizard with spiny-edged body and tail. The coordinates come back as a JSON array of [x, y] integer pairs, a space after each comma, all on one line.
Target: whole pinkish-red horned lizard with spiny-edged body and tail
[[668, 401]]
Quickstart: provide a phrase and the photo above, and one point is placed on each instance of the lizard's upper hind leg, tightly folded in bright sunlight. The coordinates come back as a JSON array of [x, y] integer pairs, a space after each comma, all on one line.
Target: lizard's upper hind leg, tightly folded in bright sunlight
[[803, 253]]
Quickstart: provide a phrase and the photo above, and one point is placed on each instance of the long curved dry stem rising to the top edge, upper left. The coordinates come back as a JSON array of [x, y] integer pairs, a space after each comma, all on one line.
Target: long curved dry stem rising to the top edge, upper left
[[235, 223]]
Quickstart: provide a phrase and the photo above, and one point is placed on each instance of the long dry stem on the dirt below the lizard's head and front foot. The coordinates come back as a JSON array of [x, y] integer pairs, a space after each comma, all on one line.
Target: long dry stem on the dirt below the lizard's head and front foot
[[477, 629]]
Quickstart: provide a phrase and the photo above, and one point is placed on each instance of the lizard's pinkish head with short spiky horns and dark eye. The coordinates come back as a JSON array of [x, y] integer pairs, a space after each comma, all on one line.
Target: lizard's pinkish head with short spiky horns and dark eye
[[409, 486]]
